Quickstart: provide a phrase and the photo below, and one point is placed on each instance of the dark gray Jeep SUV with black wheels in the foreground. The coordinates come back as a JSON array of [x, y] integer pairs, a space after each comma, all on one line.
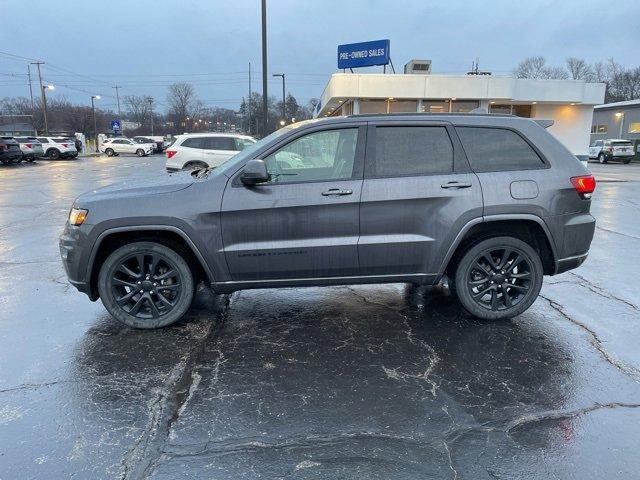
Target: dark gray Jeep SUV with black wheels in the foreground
[[492, 202]]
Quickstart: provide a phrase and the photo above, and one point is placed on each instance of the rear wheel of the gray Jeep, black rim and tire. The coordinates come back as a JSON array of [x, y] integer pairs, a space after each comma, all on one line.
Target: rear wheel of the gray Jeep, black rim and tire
[[513, 292]]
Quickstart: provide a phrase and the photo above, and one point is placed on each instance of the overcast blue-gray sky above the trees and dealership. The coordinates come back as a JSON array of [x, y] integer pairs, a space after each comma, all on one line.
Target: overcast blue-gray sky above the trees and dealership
[[144, 45]]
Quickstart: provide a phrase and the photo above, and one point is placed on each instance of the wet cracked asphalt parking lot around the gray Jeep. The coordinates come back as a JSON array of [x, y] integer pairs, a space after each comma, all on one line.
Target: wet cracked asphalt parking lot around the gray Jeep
[[372, 382]]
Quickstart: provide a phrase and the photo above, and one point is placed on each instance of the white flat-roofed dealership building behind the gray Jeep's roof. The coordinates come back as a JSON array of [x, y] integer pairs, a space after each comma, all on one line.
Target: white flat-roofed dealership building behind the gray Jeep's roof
[[569, 103]]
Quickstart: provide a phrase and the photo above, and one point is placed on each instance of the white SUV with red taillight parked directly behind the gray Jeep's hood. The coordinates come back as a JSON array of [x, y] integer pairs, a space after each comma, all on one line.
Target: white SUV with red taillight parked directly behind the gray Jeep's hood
[[202, 150]]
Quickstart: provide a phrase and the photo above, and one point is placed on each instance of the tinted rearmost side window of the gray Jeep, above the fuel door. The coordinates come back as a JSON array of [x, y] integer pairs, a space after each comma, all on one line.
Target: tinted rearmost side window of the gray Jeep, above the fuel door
[[497, 149]]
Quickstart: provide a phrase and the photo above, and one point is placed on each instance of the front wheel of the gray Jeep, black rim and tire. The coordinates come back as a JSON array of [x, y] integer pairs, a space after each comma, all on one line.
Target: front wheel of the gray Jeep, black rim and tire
[[134, 296]]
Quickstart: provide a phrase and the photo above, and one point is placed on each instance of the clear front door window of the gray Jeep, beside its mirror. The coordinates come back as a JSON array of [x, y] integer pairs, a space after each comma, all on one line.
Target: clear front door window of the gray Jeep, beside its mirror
[[318, 156]]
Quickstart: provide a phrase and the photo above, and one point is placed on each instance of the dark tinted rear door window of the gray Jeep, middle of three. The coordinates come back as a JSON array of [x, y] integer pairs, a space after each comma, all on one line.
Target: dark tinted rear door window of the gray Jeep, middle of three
[[411, 151]]
